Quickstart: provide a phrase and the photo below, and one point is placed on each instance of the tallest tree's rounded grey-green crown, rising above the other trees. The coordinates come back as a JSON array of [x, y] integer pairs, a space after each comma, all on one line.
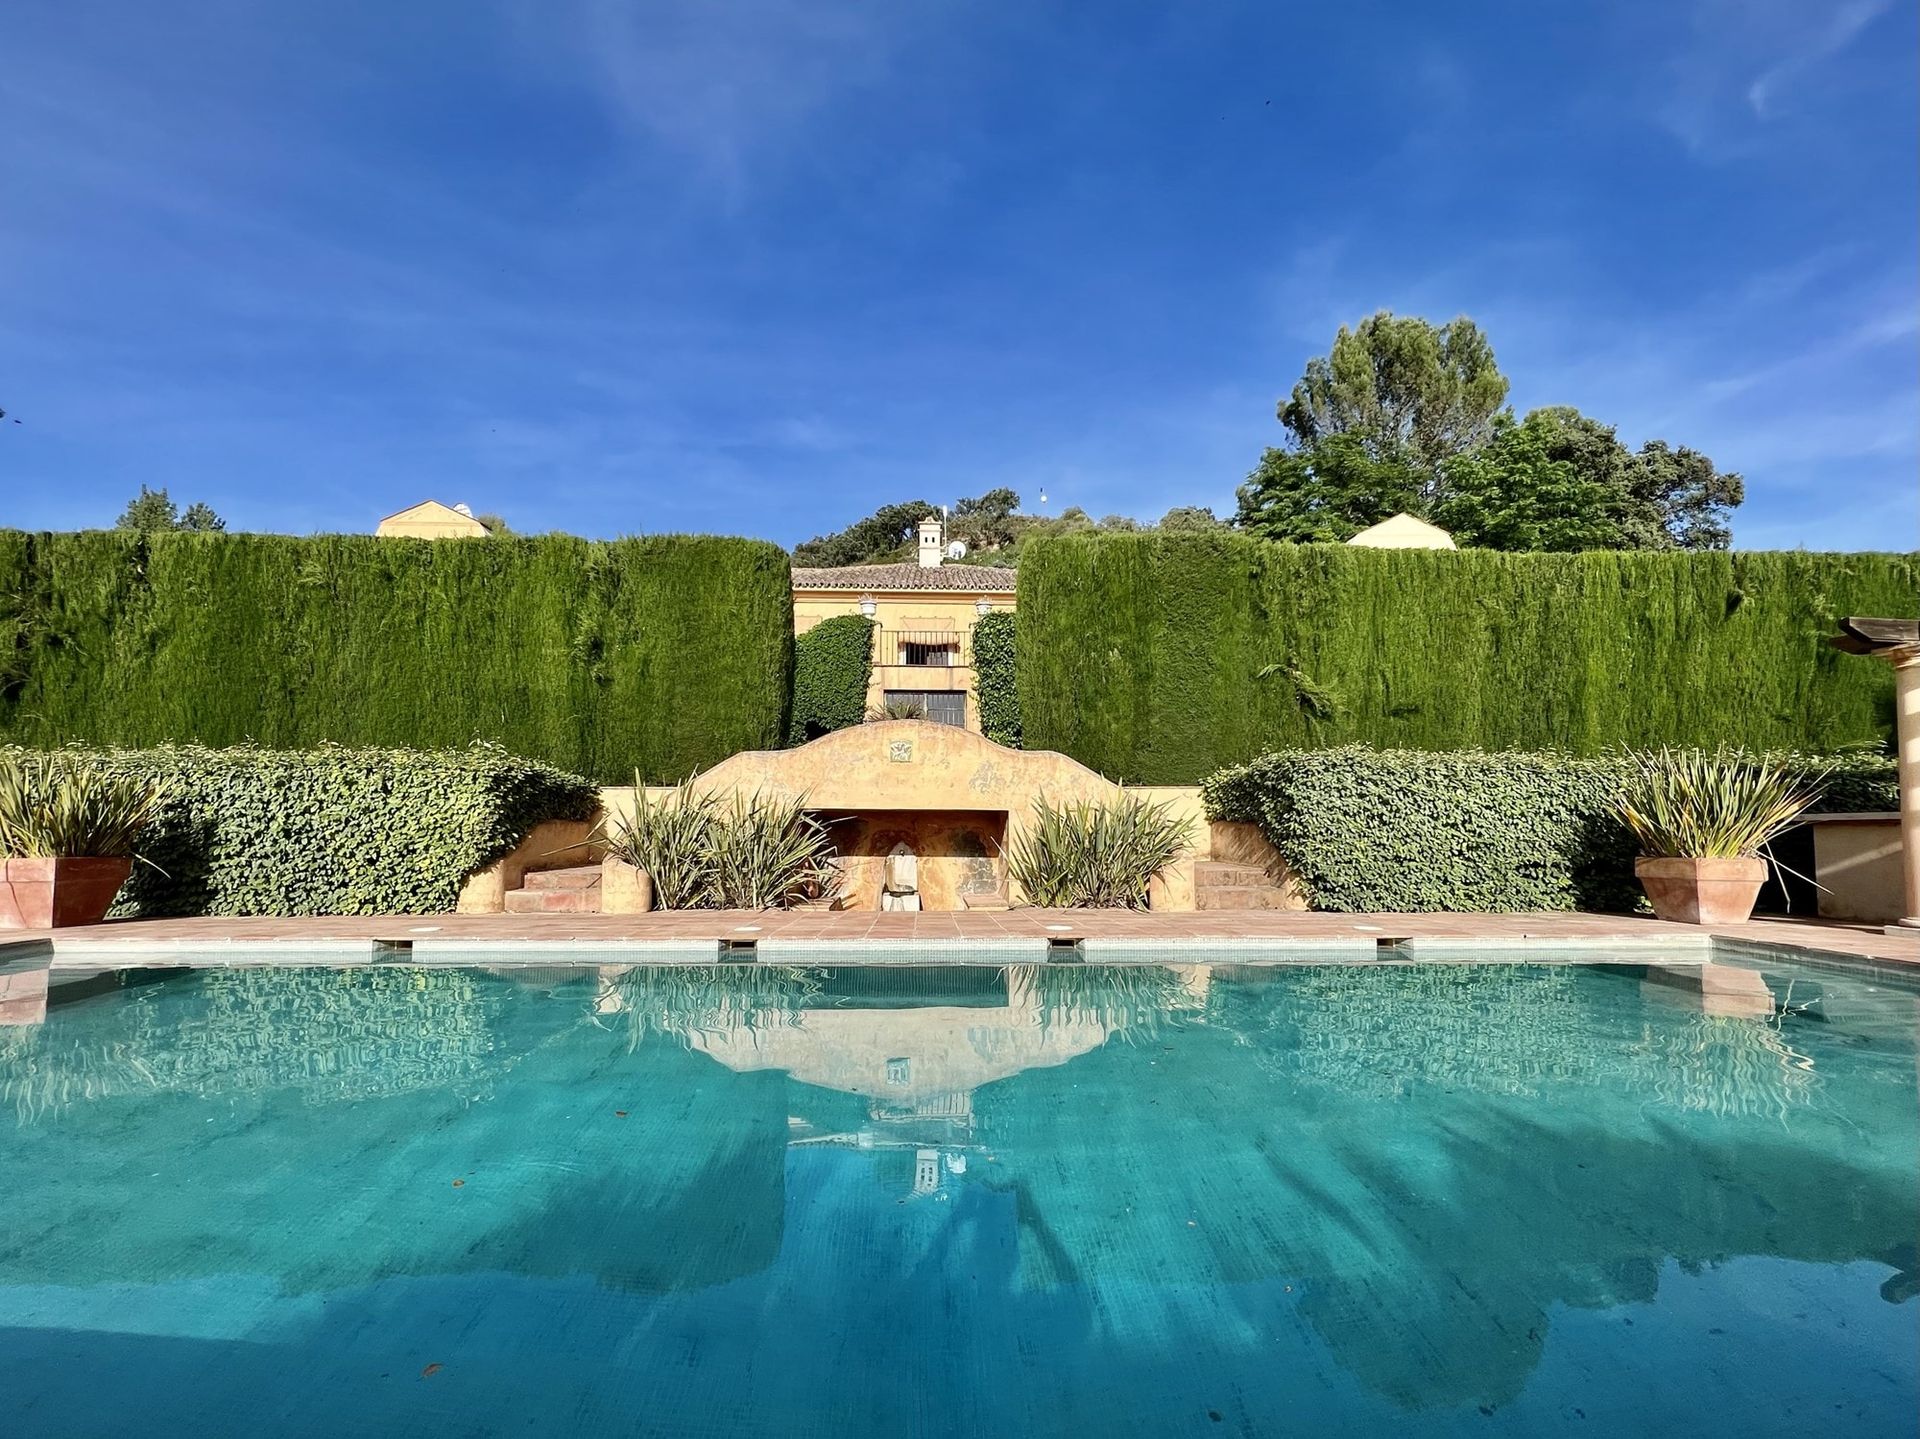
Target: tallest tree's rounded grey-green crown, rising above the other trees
[[1403, 387]]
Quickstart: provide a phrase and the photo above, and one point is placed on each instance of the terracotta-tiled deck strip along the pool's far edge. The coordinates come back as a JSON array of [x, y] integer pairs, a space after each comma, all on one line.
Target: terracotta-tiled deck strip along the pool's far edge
[[823, 937]]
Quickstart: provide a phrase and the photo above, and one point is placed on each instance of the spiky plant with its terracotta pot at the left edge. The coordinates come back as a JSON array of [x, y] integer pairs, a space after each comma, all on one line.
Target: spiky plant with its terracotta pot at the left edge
[[68, 835]]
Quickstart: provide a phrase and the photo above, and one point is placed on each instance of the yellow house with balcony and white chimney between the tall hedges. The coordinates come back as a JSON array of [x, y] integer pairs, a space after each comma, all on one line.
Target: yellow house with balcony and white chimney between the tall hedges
[[924, 614]]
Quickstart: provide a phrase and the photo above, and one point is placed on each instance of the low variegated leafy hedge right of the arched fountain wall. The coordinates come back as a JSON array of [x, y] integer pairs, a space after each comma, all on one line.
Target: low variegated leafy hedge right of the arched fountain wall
[[1420, 831]]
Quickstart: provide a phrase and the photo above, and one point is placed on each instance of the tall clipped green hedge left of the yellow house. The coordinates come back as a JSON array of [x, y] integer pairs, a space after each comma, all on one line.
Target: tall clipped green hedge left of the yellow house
[[663, 654]]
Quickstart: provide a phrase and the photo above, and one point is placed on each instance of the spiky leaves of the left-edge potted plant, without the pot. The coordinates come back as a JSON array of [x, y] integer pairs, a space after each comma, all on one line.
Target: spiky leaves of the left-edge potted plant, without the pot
[[66, 808]]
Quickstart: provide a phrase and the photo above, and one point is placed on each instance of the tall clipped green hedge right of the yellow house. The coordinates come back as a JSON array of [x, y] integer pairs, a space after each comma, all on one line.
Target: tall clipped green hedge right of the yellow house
[[1163, 658]]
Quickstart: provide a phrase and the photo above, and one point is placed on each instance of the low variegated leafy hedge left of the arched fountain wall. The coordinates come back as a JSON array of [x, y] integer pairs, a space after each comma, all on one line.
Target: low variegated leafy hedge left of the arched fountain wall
[[331, 831]]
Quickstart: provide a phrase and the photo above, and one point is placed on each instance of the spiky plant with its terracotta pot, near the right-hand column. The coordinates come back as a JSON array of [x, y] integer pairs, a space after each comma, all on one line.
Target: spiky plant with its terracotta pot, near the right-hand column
[[1704, 823]]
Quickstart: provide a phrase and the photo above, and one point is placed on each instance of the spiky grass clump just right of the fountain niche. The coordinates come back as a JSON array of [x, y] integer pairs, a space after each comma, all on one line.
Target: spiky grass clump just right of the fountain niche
[[1095, 854]]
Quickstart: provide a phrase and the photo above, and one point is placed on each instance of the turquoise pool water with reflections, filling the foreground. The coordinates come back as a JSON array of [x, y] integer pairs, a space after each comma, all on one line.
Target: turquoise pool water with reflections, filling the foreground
[[969, 1202]]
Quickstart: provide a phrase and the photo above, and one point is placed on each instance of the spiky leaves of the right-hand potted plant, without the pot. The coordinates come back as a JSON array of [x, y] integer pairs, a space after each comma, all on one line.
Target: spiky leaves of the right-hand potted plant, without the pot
[[1691, 804]]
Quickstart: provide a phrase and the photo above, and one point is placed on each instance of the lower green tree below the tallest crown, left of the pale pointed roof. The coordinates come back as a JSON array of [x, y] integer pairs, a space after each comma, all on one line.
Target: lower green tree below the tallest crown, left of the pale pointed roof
[[1328, 493]]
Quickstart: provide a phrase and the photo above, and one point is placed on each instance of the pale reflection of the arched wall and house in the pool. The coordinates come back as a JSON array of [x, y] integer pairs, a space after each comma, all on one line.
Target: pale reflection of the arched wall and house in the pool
[[915, 1044]]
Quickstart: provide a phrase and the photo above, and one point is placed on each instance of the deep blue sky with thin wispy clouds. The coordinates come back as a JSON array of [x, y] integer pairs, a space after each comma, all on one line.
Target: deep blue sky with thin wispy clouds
[[761, 266]]
